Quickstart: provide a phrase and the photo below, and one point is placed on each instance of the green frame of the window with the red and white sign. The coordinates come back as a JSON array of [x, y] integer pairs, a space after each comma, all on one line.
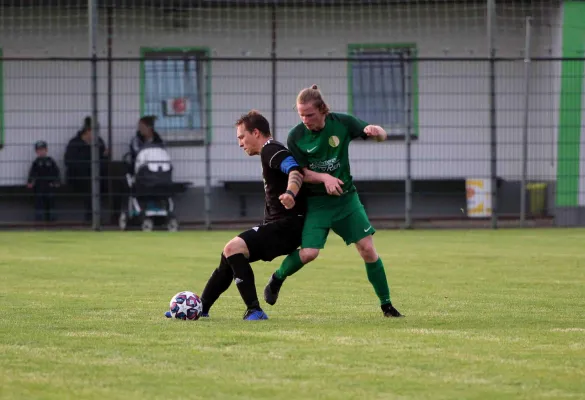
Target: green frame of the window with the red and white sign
[[205, 76]]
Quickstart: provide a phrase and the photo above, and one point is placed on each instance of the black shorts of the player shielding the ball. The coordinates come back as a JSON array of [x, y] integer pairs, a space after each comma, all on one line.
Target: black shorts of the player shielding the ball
[[274, 239]]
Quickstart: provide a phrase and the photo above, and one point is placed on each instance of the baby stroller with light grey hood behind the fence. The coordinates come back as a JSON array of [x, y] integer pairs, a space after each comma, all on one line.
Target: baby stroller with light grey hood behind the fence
[[150, 188]]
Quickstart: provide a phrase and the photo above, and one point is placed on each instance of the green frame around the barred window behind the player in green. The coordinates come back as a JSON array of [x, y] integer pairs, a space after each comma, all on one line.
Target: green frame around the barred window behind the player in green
[[352, 48]]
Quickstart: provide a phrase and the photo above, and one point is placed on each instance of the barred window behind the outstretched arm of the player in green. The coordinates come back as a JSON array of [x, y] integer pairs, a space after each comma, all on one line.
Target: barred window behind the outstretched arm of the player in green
[[383, 87]]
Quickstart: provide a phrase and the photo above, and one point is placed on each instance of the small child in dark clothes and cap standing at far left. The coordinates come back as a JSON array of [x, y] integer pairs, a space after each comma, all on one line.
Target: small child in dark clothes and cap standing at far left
[[43, 177]]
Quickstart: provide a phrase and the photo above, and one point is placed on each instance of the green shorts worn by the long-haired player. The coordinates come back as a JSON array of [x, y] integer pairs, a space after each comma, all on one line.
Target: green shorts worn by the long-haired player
[[345, 215]]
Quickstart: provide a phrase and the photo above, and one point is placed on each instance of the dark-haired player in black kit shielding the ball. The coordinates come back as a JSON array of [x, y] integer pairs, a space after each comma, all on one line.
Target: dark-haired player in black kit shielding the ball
[[280, 232]]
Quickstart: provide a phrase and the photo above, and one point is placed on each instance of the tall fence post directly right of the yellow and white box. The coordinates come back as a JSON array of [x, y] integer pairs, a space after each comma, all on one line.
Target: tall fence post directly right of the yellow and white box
[[491, 25]]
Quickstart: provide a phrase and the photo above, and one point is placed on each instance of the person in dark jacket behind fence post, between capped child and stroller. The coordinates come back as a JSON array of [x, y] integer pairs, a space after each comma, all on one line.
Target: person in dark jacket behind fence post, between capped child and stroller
[[78, 164]]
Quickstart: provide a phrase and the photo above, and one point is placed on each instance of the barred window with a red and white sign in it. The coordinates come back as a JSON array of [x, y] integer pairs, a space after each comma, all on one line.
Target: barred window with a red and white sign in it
[[175, 86]]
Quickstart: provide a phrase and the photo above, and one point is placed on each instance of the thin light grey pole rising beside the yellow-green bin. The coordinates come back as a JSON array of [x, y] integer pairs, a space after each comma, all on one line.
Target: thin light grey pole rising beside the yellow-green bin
[[527, 65]]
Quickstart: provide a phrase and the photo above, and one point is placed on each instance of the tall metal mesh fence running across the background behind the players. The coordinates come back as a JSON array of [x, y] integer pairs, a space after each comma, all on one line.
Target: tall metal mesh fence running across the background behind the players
[[483, 135]]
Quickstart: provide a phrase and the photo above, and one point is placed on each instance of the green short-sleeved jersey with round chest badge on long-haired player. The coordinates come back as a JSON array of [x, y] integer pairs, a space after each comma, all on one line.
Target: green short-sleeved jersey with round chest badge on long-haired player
[[327, 150]]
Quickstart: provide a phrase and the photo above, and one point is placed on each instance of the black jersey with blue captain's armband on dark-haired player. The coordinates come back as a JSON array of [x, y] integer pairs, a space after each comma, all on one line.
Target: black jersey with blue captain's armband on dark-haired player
[[277, 162]]
